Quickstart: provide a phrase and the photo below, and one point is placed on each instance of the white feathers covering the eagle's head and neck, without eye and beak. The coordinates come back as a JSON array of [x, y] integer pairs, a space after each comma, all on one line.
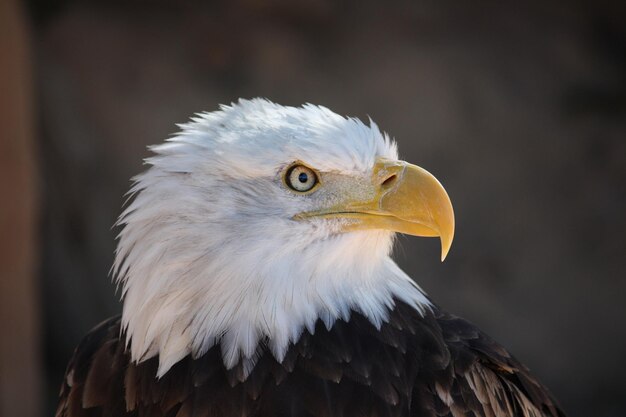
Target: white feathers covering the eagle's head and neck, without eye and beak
[[209, 253]]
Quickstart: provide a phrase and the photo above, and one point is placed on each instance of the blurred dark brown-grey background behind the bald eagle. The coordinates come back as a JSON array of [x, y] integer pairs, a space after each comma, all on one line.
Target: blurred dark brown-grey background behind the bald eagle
[[519, 109]]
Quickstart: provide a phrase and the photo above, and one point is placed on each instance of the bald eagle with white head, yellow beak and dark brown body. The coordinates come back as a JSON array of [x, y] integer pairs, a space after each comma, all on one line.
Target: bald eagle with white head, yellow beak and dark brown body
[[255, 271]]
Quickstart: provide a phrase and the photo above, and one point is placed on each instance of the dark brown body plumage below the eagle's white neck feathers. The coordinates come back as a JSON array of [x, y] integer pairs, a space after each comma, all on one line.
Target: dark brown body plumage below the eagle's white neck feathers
[[436, 365]]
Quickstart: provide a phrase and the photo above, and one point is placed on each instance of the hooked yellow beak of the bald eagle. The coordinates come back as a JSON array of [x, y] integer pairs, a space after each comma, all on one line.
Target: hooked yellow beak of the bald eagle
[[406, 199]]
